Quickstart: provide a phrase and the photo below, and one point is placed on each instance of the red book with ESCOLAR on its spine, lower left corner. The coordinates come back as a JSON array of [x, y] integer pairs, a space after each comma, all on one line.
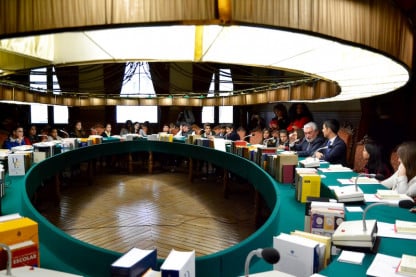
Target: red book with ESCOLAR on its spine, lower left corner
[[23, 253]]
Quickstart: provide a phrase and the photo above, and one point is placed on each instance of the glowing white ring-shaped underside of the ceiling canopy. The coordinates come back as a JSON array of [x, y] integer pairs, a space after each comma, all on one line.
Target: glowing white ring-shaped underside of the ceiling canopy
[[359, 72]]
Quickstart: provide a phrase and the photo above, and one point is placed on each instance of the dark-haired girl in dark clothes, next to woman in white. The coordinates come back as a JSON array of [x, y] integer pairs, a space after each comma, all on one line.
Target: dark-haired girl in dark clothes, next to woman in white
[[374, 162]]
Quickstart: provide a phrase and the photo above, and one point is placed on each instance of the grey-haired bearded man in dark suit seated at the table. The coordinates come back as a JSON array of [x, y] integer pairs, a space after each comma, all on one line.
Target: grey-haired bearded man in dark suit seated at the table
[[310, 143]]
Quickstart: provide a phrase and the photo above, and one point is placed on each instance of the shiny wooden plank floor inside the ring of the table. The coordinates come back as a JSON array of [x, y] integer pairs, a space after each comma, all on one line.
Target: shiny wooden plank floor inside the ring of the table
[[163, 210]]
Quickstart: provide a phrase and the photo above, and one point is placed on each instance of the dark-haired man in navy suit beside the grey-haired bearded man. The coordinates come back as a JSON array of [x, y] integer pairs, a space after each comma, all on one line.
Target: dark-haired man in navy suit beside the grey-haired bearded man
[[336, 151]]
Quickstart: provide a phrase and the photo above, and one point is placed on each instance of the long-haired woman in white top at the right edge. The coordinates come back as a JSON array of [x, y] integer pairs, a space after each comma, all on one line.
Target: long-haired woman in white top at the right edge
[[404, 179]]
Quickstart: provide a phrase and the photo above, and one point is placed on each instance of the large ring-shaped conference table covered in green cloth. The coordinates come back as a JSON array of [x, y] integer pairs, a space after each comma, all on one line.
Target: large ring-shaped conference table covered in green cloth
[[62, 252]]
